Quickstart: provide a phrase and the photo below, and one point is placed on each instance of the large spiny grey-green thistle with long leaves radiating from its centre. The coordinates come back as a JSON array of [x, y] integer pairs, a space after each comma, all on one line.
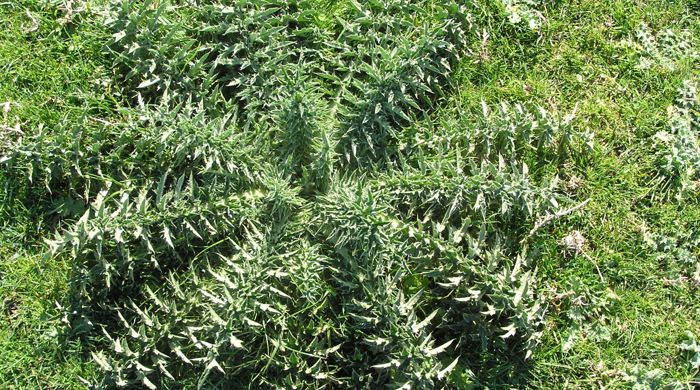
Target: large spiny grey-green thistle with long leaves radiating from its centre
[[274, 209]]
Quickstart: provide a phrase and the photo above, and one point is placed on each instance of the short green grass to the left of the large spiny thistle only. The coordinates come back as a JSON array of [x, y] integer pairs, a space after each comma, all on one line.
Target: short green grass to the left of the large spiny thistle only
[[50, 76]]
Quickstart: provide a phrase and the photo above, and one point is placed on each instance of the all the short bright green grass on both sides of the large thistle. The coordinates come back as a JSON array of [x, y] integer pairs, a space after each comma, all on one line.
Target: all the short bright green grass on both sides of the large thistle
[[577, 61]]
